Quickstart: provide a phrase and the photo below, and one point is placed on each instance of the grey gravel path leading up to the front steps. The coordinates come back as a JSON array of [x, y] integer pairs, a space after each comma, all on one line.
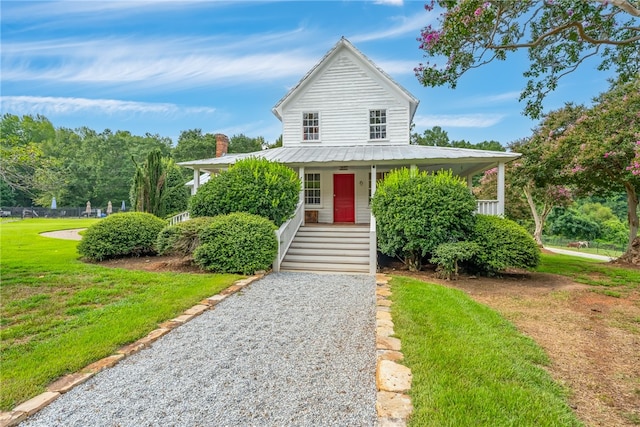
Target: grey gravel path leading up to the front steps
[[294, 349]]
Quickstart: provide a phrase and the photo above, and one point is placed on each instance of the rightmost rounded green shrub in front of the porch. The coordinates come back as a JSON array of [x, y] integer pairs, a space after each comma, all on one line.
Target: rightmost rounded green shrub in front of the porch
[[503, 244]]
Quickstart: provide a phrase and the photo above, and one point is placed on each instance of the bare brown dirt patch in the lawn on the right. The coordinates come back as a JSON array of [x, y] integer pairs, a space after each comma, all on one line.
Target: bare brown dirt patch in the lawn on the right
[[592, 339]]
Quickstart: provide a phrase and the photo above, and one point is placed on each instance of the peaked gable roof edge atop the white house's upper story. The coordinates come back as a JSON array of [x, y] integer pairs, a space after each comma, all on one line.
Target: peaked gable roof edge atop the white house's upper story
[[344, 44]]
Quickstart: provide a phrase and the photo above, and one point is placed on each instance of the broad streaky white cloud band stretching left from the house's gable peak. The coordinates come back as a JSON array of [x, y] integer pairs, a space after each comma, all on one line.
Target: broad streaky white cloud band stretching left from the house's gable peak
[[182, 62]]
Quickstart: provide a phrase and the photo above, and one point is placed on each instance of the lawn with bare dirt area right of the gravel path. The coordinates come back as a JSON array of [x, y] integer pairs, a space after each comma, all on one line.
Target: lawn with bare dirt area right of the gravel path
[[471, 367]]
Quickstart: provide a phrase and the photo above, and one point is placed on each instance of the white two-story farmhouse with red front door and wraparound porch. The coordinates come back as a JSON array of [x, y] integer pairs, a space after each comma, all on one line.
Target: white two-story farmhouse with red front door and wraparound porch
[[345, 123]]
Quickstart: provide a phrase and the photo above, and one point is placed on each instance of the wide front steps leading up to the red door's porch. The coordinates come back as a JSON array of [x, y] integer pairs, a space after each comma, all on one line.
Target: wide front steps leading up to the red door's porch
[[337, 248]]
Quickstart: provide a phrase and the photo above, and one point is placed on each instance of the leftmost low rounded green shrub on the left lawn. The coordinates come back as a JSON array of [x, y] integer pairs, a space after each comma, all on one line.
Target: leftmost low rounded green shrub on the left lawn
[[121, 235]]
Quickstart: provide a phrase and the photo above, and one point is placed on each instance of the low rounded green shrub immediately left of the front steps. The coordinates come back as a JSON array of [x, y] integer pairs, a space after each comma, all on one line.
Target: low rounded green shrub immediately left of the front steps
[[237, 243]]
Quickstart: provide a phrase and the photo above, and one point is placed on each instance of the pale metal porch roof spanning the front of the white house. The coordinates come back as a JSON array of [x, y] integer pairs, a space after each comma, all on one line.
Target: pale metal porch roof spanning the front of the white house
[[460, 160]]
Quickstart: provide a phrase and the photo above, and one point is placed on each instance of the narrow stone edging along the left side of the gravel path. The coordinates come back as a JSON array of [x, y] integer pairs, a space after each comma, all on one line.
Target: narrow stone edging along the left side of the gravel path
[[67, 382]]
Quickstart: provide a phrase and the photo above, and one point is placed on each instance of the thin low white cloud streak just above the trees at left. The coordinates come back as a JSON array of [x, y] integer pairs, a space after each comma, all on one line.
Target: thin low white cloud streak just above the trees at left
[[48, 105]]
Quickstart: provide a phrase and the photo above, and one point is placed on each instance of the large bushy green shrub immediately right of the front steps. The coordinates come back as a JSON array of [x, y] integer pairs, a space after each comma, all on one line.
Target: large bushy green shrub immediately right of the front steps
[[417, 211]]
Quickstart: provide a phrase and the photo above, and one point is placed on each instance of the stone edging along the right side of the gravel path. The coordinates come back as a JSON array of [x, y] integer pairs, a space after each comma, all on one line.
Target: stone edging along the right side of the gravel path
[[393, 380]]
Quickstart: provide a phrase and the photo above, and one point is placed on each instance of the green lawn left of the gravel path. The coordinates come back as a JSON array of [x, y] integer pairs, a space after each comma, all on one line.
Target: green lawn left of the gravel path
[[59, 314]]
